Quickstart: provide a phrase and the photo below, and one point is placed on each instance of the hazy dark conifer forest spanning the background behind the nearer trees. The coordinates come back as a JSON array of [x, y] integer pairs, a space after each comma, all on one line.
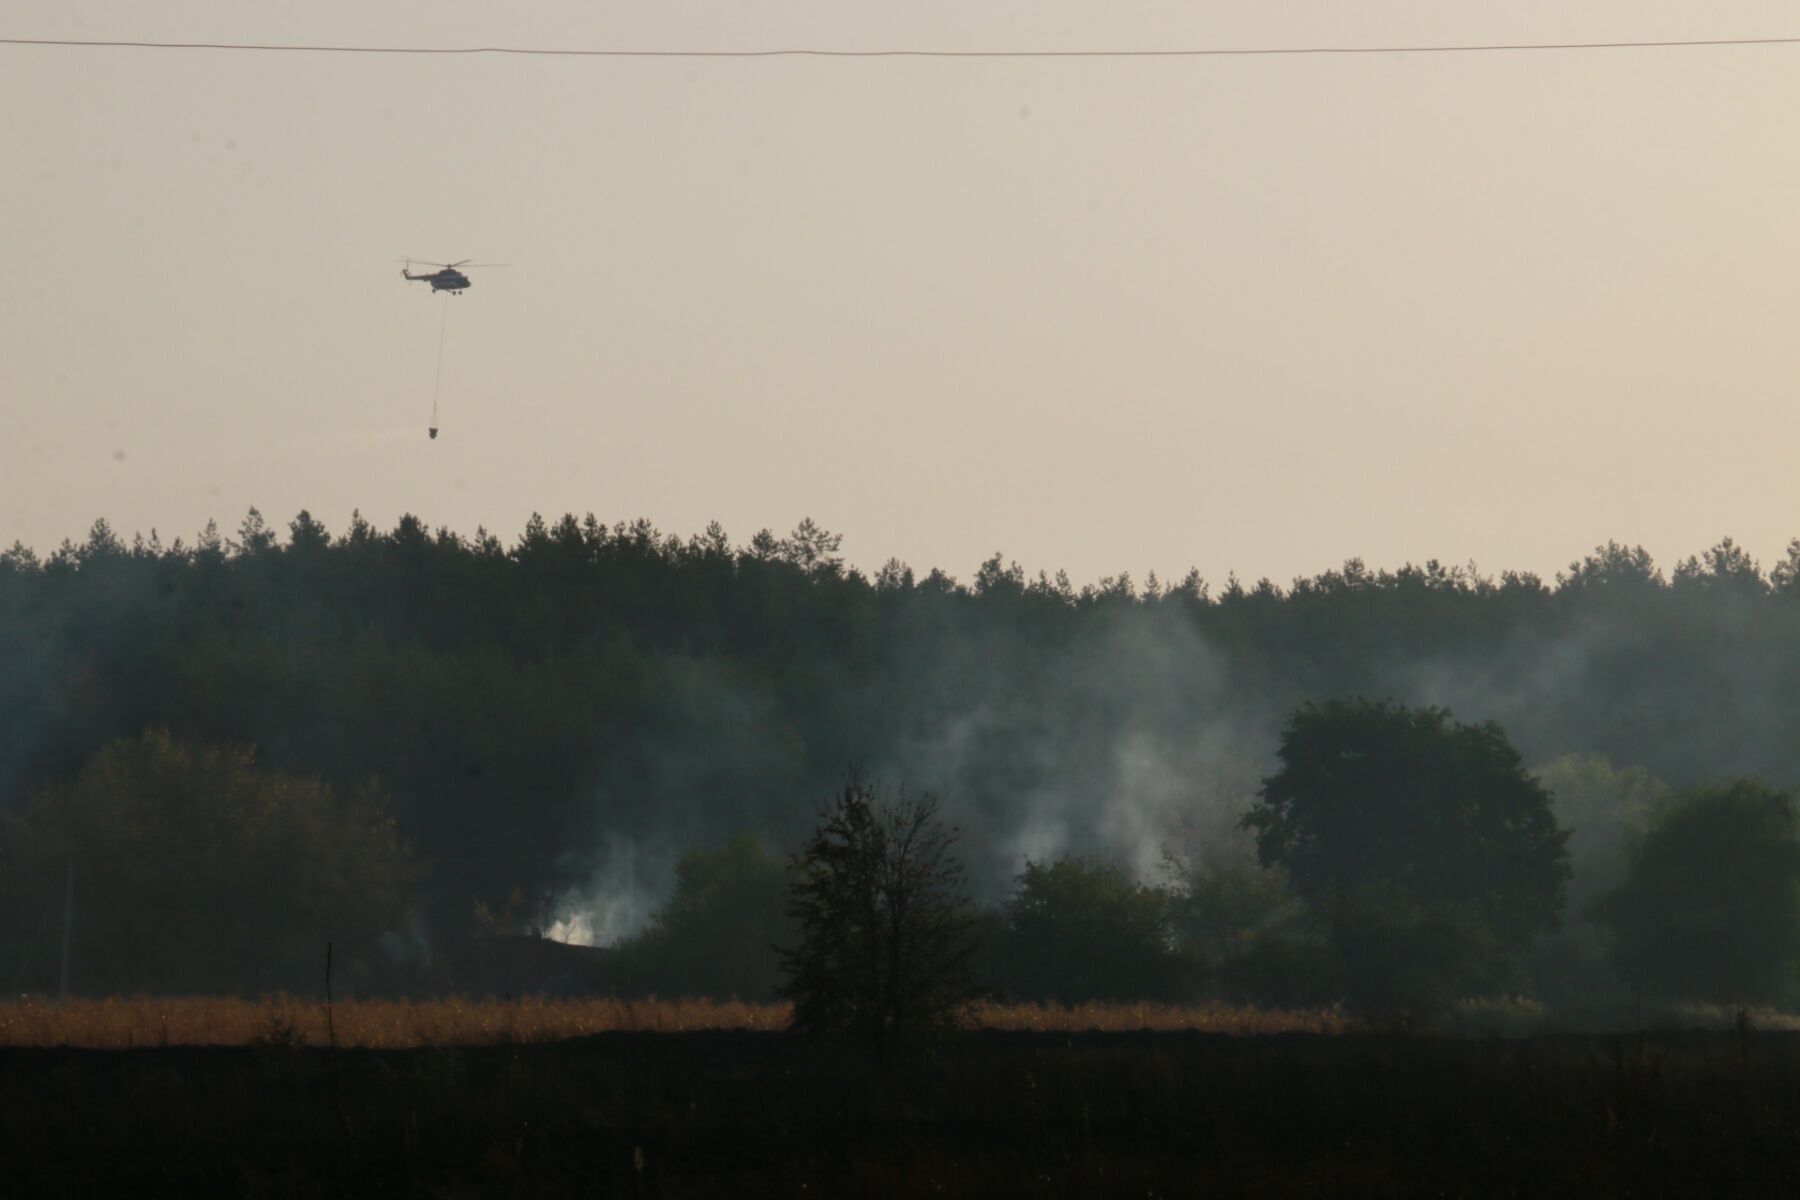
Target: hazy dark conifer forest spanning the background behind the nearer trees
[[525, 710]]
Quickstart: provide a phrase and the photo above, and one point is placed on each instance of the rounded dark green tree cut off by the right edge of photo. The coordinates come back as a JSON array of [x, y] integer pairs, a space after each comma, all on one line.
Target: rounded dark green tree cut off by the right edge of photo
[[1711, 904]]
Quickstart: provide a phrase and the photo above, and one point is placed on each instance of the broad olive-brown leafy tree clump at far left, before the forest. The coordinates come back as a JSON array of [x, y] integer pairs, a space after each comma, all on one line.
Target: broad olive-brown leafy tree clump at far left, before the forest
[[199, 872]]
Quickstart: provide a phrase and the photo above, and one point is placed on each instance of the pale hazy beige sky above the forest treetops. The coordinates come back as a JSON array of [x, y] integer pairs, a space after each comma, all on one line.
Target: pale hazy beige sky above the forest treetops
[[1106, 316]]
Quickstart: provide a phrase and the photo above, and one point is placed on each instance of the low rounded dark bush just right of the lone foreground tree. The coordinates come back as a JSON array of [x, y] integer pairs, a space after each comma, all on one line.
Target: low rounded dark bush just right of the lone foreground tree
[[1083, 931]]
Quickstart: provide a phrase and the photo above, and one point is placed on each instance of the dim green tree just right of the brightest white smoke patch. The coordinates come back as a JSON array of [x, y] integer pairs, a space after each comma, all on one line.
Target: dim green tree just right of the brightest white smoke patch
[[719, 931]]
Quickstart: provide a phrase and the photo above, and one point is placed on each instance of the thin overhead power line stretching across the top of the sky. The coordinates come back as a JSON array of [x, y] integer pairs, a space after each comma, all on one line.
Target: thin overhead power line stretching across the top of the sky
[[915, 53]]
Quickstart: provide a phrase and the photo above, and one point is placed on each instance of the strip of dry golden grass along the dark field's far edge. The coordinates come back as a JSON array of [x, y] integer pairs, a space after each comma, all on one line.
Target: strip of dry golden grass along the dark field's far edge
[[404, 1025]]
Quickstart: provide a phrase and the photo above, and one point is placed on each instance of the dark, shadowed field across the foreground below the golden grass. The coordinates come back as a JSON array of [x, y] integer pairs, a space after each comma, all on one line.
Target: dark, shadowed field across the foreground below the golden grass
[[744, 1115]]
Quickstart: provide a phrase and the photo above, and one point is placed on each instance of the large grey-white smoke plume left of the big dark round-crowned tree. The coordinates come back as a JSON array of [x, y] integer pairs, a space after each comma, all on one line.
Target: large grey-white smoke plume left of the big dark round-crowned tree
[[1117, 746]]
